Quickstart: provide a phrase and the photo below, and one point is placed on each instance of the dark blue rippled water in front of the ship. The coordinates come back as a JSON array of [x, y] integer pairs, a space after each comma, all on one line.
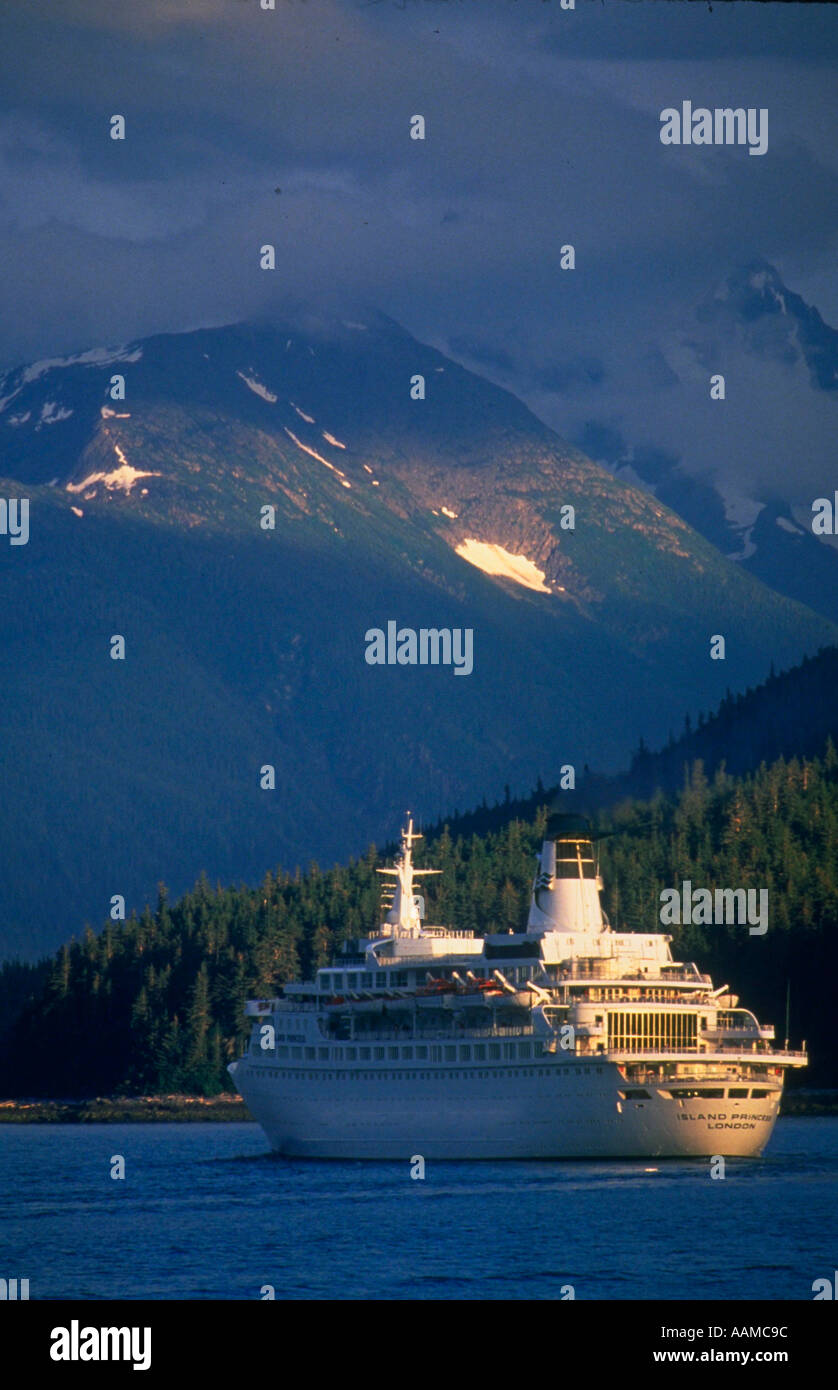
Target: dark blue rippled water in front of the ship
[[208, 1213]]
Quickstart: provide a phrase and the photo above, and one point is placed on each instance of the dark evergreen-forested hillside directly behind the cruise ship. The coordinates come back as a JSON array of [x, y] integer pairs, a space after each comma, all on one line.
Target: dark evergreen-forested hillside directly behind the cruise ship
[[156, 1004]]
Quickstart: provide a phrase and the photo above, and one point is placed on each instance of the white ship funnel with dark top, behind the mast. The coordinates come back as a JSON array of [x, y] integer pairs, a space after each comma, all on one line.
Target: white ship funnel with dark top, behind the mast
[[566, 888]]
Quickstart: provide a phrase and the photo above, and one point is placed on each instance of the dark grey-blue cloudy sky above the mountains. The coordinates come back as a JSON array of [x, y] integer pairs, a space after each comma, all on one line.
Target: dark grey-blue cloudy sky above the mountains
[[293, 127]]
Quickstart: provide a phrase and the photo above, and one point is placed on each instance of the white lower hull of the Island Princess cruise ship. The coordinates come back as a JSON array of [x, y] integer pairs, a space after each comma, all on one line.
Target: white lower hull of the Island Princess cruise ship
[[541, 1111]]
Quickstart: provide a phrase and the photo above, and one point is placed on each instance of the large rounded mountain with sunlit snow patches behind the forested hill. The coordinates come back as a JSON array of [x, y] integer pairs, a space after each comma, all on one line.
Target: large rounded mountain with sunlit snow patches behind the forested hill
[[247, 647]]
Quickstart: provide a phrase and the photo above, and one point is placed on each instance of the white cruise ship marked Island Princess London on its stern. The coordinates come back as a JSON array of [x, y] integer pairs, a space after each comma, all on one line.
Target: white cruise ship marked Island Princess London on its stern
[[565, 1040]]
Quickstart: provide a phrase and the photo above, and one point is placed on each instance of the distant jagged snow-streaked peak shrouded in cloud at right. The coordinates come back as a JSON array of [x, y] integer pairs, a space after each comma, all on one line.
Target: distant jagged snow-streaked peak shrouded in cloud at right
[[748, 484]]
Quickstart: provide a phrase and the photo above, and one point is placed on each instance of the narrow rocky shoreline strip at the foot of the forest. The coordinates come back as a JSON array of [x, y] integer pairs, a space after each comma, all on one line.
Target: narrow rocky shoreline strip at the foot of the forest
[[230, 1109]]
